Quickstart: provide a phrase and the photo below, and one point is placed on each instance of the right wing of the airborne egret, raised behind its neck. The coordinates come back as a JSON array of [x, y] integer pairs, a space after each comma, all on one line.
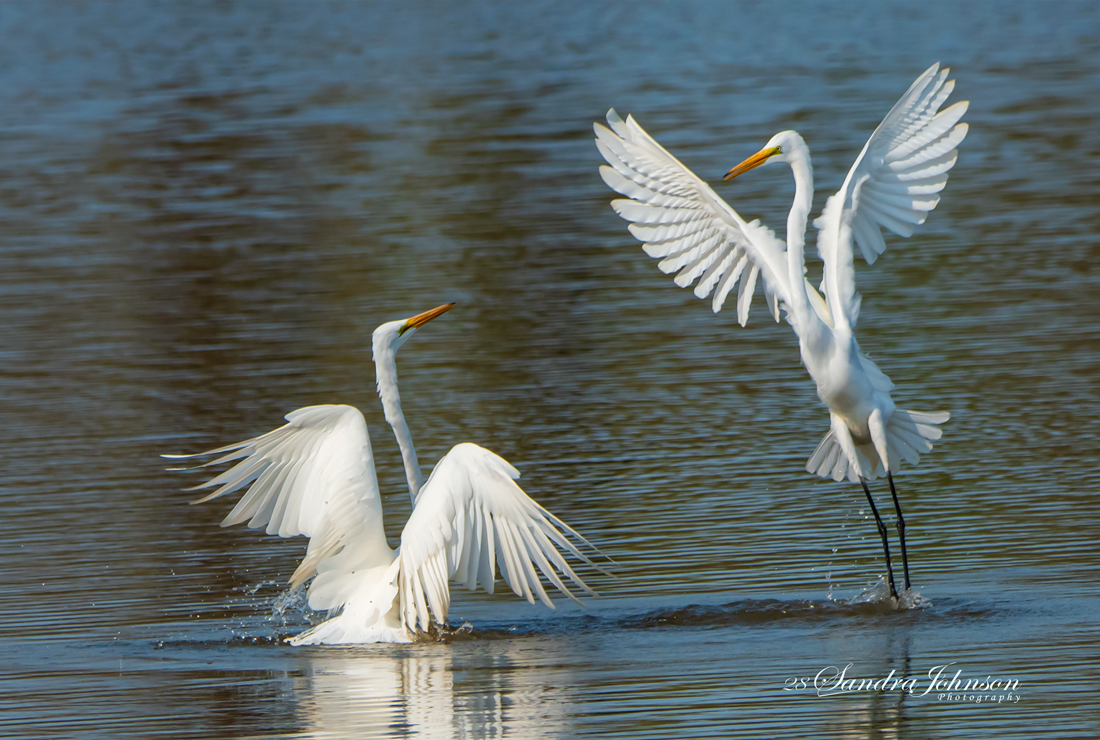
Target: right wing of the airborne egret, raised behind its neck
[[894, 184]]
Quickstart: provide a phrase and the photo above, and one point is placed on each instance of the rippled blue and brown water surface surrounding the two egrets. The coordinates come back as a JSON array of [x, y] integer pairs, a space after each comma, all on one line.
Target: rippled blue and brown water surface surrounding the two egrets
[[206, 208]]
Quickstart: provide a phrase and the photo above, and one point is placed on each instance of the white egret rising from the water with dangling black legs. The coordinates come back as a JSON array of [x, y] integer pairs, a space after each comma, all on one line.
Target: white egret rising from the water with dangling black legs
[[894, 185]]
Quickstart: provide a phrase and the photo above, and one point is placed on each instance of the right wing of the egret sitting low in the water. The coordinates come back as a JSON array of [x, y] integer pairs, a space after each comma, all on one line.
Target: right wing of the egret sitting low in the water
[[471, 517]]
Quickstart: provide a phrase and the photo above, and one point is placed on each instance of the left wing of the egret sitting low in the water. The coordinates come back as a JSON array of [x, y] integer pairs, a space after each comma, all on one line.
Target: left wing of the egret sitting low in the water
[[315, 478]]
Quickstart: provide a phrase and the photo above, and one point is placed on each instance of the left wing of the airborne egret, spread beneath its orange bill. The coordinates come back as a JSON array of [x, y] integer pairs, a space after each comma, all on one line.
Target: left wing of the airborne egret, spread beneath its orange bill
[[685, 224]]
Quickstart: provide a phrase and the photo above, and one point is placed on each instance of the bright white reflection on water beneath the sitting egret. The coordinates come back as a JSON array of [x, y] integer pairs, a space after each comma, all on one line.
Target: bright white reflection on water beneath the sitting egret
[[364, 693]]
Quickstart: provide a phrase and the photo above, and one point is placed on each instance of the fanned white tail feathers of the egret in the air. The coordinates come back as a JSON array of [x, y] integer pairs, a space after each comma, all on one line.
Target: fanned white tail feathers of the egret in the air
[[909, 436]]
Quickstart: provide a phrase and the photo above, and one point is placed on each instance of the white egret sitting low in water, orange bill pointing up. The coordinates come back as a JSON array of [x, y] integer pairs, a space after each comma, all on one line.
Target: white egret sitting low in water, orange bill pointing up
[[315, 477]]
